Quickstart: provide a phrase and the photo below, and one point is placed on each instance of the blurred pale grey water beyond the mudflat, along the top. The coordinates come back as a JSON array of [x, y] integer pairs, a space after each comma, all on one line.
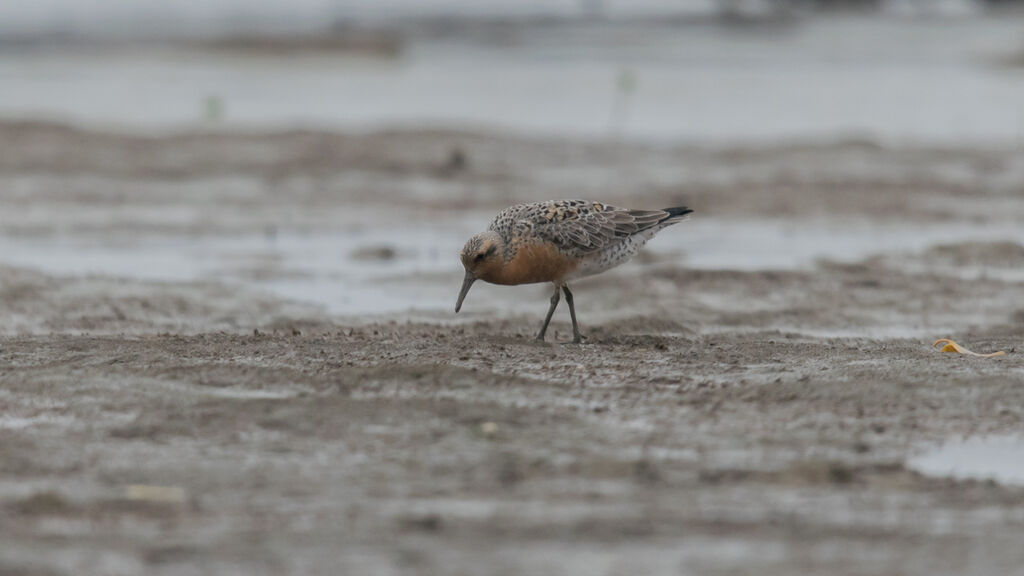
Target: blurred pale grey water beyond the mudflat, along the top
[[670, 70]]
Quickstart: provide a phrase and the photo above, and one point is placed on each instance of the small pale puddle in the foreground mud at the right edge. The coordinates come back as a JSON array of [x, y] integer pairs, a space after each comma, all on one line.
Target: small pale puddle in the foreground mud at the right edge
[[994, 458]]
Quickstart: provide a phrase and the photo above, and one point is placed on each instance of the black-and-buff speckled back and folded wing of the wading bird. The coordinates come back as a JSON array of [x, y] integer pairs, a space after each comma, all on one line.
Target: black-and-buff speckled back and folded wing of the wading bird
[[578, 227]]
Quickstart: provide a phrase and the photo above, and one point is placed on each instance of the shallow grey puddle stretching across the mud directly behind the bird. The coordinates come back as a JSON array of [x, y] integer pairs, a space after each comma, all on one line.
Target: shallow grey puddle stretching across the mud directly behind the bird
[[422, 271]]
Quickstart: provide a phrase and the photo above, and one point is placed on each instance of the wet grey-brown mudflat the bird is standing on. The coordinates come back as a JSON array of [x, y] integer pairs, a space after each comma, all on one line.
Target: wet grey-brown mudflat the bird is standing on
[[720, 420]]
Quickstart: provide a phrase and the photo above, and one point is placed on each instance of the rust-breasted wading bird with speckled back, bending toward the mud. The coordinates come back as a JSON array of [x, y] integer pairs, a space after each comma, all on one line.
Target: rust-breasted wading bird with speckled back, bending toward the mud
[[559, 241]]
